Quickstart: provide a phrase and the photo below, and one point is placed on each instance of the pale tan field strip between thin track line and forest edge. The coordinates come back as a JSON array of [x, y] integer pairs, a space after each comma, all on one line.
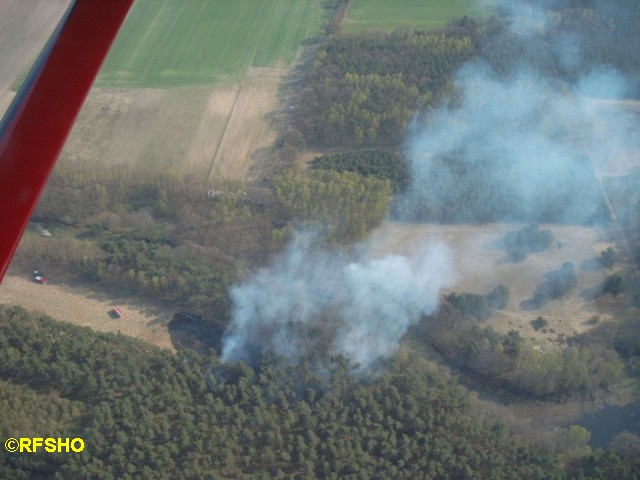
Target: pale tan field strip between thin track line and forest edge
[[248, 134]]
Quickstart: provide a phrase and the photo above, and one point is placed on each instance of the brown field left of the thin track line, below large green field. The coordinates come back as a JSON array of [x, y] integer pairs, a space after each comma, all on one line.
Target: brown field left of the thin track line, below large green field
[[173, 129]]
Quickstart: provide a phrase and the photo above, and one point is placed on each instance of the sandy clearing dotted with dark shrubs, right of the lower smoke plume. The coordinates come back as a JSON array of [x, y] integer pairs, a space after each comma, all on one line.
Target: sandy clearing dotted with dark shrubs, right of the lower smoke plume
[[481, 265]]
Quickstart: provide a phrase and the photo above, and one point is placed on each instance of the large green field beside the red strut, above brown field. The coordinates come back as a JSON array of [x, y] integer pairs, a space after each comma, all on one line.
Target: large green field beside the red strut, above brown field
[[166, 43]]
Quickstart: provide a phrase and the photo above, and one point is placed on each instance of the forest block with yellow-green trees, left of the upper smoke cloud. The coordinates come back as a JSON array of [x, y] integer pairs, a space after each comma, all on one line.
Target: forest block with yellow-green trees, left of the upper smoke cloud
[[363, 89]]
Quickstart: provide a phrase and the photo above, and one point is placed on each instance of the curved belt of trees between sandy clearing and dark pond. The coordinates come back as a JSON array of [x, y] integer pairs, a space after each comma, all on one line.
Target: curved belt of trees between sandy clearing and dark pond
[[582, 367]]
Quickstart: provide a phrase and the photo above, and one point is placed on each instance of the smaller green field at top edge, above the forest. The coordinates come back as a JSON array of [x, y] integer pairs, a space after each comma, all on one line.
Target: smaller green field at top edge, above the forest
[[388, 15]]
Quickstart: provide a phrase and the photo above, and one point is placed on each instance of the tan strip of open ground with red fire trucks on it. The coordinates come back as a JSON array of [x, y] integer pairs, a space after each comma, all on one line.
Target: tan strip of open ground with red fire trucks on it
[[85, 307]]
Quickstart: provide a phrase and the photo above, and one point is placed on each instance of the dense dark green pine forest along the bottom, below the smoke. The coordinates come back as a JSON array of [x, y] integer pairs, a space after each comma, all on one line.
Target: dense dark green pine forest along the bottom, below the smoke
[[145, 413]]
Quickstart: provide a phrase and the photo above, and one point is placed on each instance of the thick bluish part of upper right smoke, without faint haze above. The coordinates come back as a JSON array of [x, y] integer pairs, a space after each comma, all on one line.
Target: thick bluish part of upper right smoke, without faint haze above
[[518, 149]]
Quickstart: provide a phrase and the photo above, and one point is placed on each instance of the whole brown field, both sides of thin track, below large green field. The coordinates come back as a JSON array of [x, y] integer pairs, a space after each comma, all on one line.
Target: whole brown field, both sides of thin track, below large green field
[[217, 131]]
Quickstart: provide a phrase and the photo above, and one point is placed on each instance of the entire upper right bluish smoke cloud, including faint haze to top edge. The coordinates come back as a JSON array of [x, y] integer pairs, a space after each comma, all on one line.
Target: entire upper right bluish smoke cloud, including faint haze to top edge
[[532, 123]]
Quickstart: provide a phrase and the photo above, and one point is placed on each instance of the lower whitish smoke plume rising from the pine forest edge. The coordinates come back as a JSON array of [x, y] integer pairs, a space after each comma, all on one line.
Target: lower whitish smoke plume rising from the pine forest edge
[[359, 308]]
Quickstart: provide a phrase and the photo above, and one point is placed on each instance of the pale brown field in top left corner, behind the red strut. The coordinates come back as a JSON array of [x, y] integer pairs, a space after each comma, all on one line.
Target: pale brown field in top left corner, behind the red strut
[[25, 26]]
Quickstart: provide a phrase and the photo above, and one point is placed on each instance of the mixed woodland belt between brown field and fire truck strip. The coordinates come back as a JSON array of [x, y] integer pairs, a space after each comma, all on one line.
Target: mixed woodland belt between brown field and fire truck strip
[[162, 235]]
